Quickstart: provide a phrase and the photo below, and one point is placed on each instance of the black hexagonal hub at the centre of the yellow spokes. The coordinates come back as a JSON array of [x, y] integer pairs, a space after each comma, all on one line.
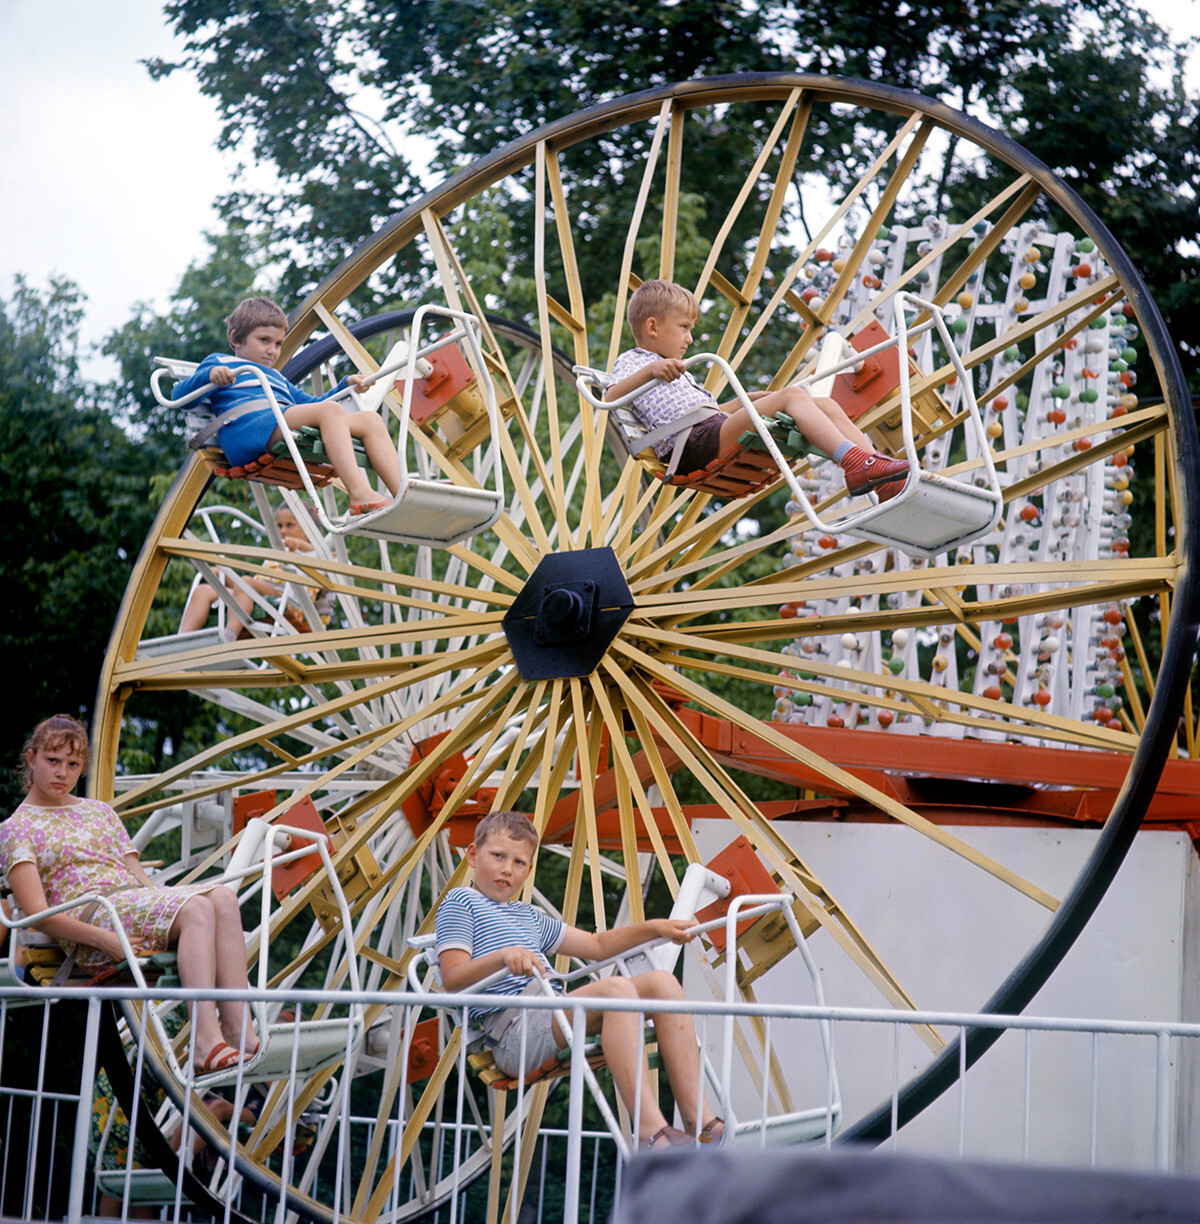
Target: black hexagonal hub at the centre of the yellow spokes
[[568, 615]]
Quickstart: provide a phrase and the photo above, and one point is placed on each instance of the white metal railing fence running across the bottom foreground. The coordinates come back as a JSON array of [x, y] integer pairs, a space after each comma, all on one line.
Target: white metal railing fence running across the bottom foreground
[[48, 1170]]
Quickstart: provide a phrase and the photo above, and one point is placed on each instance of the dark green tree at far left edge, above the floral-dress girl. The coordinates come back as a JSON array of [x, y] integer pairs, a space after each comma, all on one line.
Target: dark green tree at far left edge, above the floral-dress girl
[[77, 499]]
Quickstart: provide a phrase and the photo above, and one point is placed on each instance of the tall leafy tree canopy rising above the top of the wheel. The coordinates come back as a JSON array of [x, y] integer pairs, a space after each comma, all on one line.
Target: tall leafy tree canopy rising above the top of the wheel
[[330, 96]]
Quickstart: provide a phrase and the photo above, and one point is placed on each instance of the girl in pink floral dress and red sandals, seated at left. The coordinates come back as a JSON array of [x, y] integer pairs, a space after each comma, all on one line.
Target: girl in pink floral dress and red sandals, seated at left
[[57, 848]]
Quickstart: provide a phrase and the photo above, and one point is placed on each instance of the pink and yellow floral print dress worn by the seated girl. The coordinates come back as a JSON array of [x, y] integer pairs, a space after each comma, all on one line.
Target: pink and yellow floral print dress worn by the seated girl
[[81, 849]]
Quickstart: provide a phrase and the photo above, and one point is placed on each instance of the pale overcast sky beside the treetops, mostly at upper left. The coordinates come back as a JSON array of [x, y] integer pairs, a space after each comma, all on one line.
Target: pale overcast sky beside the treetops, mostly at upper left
[[108, 178]]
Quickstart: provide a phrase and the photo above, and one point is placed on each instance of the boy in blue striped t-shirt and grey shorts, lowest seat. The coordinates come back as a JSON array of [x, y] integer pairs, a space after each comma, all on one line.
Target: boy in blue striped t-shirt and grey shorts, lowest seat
[[484, 930]]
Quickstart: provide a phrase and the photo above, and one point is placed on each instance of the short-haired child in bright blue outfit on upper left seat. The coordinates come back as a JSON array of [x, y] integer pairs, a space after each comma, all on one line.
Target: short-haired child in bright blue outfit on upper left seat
[[257, 332]]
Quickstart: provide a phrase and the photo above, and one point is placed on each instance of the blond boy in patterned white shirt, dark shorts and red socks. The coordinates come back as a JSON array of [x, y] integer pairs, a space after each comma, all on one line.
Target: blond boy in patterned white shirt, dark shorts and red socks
[[662, 316]]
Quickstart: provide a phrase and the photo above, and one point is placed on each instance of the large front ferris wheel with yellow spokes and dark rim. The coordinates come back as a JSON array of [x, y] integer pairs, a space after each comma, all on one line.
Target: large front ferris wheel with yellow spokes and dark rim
[[619, 653]]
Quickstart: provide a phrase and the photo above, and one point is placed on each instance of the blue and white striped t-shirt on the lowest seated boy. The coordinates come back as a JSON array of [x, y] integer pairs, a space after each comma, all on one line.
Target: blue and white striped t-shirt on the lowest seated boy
[[470, 921]]
